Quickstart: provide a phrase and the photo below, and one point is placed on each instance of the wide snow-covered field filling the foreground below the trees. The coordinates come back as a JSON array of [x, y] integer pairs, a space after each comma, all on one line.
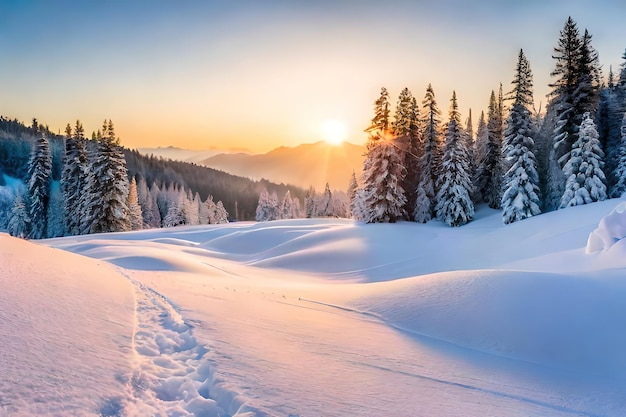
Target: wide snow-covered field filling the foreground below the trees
[[319, 317]]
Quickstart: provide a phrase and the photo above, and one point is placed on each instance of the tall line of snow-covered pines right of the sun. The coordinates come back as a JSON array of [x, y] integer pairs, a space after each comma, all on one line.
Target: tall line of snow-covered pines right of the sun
[[520, 161]]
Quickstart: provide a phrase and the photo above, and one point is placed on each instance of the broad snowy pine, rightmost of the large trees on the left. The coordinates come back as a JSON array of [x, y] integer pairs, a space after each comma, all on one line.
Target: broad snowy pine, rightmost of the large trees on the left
[[108, 186]]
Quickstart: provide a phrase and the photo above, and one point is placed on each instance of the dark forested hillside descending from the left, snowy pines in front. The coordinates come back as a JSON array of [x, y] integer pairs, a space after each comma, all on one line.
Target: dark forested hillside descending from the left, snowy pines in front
[[54, 185]]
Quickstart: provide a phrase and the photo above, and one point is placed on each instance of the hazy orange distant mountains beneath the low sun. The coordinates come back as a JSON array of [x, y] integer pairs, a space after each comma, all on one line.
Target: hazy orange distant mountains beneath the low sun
[[312, 164]]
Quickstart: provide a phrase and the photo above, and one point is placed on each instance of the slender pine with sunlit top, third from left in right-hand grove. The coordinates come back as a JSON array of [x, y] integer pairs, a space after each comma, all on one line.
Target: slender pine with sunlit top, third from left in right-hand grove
[[429, 160]]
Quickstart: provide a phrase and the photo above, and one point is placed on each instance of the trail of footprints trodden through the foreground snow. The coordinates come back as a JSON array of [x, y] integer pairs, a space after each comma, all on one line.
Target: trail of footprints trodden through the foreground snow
[[172, 373]]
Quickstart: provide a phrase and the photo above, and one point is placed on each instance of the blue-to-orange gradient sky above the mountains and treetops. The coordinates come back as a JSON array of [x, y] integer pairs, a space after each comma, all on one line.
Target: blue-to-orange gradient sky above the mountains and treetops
[[260, 74]]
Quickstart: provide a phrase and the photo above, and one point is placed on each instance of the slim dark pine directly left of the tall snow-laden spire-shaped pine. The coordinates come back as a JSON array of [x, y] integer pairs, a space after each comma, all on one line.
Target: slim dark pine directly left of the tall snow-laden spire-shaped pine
[[489, 169]]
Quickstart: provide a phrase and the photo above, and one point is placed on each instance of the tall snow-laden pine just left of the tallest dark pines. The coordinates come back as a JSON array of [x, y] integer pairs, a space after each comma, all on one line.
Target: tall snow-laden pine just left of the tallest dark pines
[[520, 198]]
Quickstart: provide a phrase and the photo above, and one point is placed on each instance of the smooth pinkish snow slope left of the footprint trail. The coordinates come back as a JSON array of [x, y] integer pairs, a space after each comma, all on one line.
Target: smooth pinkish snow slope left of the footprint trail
[[66, 325]]
